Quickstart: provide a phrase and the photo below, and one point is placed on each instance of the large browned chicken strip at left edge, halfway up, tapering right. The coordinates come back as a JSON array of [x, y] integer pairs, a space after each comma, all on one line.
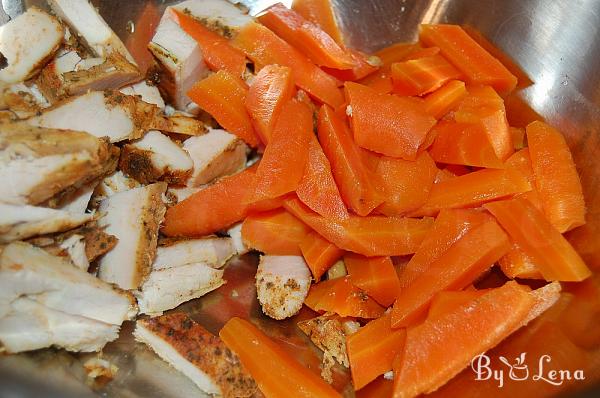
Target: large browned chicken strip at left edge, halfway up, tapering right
[[38, 163]]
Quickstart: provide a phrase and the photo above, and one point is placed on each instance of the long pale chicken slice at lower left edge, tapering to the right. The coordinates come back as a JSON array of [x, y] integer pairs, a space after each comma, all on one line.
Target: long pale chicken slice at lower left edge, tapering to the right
[[26, 270]]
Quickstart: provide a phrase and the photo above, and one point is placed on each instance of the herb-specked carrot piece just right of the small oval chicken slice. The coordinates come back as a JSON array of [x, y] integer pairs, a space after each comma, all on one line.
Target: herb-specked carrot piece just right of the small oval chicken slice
[[341, 297]]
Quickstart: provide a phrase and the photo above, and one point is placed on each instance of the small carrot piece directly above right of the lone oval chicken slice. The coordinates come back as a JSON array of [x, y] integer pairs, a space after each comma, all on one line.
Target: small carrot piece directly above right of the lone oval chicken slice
[[319, 254]]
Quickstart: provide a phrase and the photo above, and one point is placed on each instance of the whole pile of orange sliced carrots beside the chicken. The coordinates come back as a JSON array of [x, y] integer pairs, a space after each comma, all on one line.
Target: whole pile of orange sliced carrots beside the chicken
[[372, 159]]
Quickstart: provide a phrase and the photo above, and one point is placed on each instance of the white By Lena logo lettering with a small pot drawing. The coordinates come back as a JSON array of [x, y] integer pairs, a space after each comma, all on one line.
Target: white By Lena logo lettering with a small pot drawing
[[518, 370]]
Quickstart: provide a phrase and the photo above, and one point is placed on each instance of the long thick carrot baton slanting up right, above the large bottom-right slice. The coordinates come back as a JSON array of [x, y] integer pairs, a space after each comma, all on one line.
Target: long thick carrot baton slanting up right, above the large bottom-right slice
[[455, 269]]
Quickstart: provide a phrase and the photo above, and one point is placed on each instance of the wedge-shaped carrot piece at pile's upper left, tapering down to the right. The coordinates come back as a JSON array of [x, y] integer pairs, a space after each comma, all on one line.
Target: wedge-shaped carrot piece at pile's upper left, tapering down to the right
[[223, 95]]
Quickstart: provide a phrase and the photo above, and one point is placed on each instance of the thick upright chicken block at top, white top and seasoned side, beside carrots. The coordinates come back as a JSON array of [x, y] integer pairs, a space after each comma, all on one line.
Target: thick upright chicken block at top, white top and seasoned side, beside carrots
[[181, 61]]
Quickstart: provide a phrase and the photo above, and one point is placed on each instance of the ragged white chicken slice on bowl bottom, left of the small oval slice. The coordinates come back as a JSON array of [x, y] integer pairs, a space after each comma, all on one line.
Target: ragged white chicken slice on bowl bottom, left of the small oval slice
[[169, 287]]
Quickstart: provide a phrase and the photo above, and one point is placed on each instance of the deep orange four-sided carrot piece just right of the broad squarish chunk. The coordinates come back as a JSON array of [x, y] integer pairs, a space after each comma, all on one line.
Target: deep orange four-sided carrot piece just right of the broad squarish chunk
[[463, 143]]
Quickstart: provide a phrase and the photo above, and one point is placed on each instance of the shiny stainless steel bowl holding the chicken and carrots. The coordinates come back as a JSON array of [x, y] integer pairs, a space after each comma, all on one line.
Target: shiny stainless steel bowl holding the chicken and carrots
[[557, 42]]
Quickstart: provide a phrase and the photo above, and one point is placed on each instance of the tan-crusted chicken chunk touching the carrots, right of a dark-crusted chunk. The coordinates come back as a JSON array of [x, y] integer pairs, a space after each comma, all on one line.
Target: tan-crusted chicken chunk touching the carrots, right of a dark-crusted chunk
[[215, 154]]
